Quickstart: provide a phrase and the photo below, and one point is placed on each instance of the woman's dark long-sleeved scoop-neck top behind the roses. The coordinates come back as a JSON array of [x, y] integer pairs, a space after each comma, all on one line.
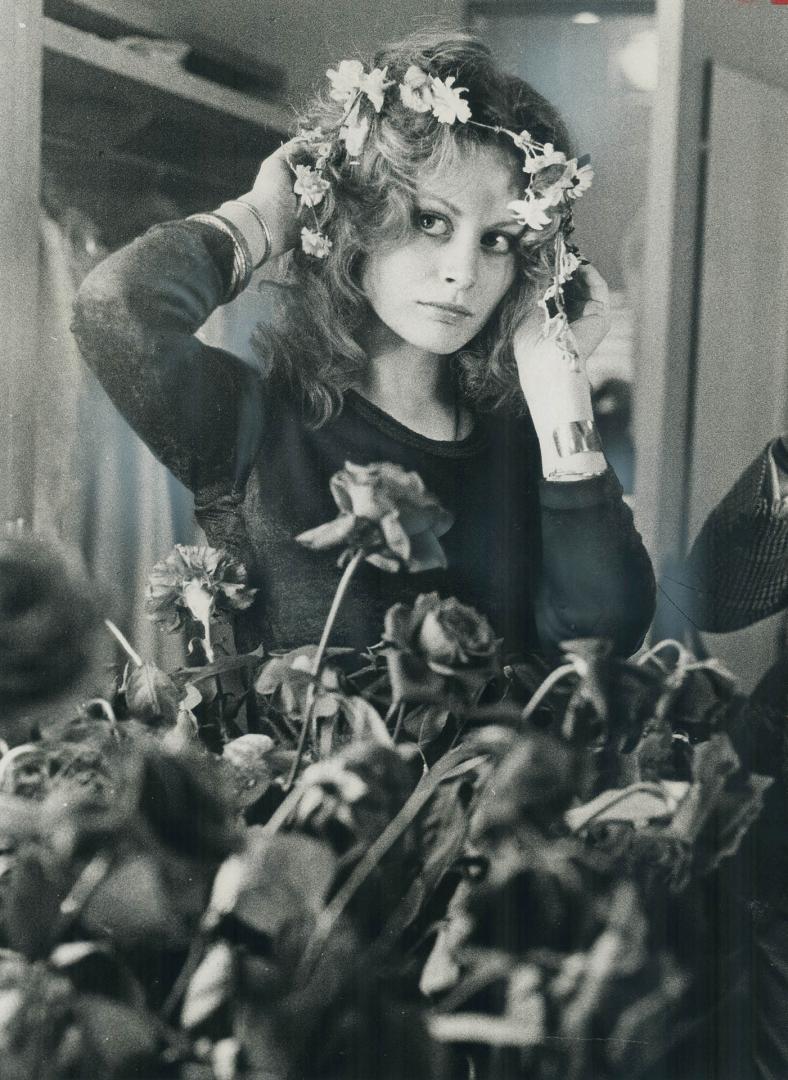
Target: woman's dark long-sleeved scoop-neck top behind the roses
[[545, 561]]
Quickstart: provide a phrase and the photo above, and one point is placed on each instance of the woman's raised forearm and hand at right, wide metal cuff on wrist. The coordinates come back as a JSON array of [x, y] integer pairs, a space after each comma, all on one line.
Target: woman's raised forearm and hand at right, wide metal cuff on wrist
[[596, 578]]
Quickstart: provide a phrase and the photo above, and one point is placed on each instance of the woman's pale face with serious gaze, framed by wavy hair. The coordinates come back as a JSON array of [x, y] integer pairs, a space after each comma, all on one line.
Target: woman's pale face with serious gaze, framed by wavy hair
[[437, 289]]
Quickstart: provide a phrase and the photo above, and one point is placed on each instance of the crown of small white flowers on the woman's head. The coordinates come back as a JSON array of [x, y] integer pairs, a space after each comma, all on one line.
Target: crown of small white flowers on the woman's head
[[552, 180]]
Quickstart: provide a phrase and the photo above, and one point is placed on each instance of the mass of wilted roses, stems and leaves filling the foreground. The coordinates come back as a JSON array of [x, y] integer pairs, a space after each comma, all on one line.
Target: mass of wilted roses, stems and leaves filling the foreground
[[414, 862]]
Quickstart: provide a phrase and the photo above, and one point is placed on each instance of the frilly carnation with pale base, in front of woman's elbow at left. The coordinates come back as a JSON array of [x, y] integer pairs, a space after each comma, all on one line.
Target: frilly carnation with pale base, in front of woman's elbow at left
[[193, 584]]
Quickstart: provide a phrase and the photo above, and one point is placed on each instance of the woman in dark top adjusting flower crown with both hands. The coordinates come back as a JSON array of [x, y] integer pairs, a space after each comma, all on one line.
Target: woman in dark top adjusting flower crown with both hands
[[409, 332]]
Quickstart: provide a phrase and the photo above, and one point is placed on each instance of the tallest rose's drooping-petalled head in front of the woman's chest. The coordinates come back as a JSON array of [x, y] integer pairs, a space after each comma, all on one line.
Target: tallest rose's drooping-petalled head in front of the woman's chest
[[387, 512]]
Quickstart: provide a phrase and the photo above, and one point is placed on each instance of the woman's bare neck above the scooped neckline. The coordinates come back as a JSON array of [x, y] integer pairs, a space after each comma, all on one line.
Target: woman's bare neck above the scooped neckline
[[418, 389]]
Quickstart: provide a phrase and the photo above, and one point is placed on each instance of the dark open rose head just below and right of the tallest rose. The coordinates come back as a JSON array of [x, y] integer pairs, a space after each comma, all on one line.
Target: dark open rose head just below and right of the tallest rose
[[440, 646]]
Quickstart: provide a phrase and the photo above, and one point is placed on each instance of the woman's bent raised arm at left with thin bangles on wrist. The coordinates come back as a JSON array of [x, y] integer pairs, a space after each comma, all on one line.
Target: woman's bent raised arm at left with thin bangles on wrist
[[199, 409]]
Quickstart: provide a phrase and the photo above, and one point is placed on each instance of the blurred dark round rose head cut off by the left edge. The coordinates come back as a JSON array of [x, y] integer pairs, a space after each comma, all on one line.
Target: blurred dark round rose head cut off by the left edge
[[49, 611]]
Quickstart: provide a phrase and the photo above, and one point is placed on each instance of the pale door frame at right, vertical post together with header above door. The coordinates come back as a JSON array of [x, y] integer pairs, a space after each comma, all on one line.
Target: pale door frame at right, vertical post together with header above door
[[751, 38]]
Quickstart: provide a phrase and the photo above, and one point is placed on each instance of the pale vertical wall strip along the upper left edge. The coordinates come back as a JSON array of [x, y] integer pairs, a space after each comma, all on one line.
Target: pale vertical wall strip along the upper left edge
[[21, 30]]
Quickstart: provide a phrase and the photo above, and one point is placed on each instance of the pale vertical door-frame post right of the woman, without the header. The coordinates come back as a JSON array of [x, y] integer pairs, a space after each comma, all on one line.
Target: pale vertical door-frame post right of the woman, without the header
[[664, 367]]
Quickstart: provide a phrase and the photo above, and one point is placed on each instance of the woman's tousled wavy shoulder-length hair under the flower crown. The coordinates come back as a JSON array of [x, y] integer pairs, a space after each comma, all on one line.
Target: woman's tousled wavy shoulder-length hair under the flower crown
[[313, 347]]
